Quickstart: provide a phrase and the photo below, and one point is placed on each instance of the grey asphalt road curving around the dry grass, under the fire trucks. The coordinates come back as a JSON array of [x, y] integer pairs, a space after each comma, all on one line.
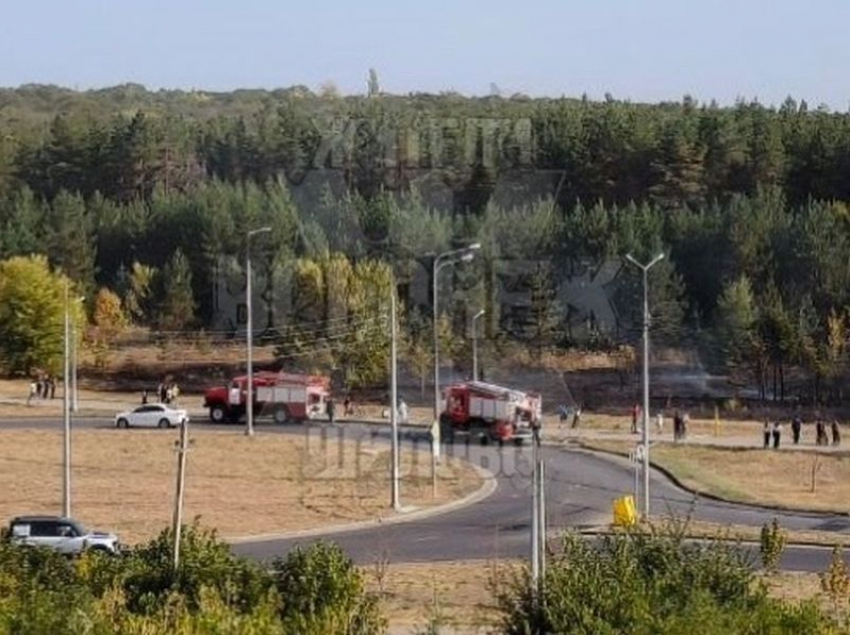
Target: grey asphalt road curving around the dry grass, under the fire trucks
[[580, 489]]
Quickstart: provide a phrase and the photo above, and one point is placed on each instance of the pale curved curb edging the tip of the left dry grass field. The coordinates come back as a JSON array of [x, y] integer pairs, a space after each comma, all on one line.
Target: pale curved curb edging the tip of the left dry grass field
[[488, 486]]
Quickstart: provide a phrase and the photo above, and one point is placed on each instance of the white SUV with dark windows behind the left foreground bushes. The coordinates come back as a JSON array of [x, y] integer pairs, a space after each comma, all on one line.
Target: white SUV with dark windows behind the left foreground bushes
[[64, 535]]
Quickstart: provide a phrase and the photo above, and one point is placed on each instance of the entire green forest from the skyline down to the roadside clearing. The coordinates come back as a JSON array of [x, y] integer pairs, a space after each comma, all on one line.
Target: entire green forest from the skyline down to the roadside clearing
[[748, 202]]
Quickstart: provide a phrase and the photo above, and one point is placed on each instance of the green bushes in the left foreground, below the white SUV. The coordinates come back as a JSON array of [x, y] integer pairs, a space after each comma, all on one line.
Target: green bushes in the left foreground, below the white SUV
[[317, 590]]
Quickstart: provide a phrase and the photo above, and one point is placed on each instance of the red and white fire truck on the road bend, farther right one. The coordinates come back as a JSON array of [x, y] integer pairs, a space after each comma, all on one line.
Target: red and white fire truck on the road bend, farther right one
[[494, 412]]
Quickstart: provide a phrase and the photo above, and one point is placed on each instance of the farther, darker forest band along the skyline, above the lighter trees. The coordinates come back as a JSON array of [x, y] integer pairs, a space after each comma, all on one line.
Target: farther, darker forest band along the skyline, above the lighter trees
[[125, 142]]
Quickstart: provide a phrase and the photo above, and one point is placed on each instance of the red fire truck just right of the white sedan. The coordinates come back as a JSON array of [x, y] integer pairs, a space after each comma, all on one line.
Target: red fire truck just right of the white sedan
[[284, 396]]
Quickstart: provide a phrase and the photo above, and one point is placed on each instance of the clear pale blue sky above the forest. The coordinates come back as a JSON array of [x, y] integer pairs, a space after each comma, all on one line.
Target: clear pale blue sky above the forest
[[641, 50]]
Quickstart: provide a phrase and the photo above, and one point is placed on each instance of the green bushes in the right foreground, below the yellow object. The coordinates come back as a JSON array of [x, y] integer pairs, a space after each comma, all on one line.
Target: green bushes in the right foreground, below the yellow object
[[654, 583]]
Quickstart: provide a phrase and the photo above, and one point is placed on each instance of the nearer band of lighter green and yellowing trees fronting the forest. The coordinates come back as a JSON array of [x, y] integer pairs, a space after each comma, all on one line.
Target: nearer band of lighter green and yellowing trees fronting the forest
[[759, 284]]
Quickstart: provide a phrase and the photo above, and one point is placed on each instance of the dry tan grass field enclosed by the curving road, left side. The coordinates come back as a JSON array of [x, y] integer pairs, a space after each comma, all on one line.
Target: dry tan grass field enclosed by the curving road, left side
[[123, 480]]
